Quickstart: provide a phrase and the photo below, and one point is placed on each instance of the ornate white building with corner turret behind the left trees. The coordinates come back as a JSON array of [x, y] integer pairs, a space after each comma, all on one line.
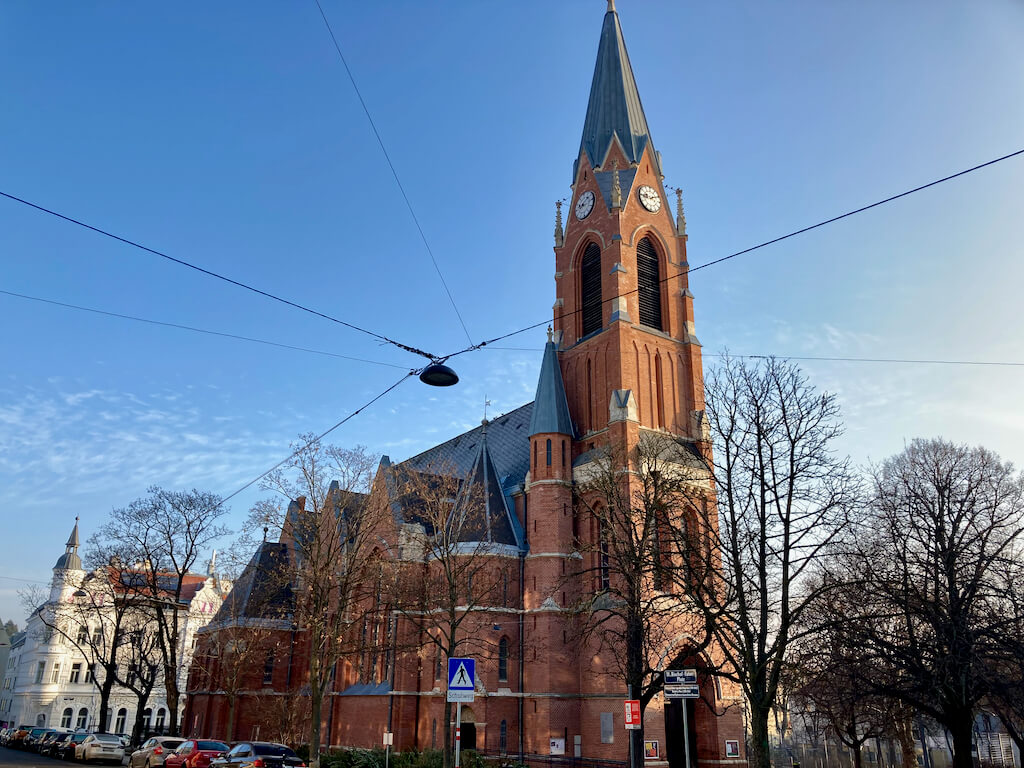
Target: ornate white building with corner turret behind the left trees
[[52, 674]]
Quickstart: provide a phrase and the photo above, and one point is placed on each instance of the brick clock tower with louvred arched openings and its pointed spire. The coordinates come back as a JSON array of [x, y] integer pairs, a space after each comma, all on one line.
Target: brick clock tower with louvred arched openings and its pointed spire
[[624, 315]]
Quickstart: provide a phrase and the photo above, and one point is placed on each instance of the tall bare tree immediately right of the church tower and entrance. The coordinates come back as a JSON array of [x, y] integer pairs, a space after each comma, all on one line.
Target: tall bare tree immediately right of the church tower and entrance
[[783, 500]]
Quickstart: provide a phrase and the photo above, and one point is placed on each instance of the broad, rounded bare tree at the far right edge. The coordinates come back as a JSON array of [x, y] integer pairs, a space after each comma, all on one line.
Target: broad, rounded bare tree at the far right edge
[[936, 578]]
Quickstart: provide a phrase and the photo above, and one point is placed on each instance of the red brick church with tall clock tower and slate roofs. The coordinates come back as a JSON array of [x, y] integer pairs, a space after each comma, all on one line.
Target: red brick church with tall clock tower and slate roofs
[[622, 361]]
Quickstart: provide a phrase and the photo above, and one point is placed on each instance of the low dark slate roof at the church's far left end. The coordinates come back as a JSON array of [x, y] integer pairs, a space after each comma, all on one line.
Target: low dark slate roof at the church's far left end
[[260, 592]]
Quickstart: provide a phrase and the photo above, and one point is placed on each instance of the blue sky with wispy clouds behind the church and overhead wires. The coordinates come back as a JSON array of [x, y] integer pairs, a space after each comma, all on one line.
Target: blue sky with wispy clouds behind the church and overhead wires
[[230, 136]]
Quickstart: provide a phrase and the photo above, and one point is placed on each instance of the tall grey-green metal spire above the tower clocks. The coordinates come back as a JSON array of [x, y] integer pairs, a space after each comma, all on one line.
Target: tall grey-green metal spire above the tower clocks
[[615, 107]]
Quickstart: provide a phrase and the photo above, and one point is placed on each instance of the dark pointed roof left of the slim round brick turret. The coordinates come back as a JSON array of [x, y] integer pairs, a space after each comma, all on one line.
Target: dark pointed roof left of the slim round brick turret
[[481, 514]]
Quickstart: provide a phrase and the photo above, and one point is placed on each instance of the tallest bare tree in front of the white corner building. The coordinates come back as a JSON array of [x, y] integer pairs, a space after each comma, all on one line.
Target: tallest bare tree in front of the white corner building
[[163, 537]]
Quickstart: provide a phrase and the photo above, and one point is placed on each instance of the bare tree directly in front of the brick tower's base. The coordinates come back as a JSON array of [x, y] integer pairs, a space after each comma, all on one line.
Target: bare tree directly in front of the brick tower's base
[[633, 501]]
